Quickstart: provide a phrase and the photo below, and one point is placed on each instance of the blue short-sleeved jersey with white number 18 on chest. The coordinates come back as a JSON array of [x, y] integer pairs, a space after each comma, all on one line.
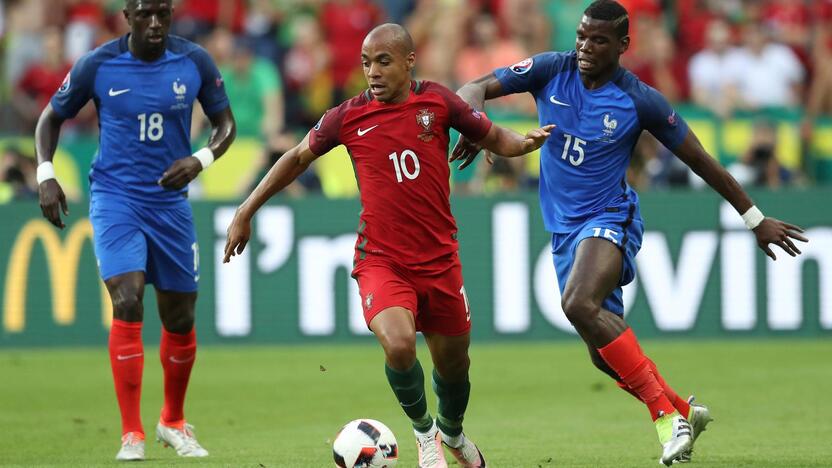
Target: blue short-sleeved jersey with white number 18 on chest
[[144, 112]]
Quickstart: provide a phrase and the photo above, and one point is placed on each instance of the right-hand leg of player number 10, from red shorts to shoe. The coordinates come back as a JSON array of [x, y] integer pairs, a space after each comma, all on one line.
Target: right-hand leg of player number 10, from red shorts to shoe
[[452, 387]]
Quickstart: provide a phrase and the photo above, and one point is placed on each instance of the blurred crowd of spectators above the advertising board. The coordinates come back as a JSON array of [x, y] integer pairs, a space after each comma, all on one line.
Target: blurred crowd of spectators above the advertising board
[[285, 62]]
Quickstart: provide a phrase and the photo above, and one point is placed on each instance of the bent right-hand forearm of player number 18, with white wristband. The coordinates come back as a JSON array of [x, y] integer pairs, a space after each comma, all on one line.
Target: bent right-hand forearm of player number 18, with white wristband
[[184, 170]]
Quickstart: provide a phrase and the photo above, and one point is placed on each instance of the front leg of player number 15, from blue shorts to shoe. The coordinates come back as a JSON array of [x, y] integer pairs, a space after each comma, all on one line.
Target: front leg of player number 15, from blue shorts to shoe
[[595, 274]]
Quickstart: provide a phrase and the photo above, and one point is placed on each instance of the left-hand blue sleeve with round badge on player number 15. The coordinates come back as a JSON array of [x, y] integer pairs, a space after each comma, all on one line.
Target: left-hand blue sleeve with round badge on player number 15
[[533, 73]]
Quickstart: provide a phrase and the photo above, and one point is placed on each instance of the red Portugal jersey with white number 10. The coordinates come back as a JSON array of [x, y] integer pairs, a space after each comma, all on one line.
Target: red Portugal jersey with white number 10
[[400, 155]]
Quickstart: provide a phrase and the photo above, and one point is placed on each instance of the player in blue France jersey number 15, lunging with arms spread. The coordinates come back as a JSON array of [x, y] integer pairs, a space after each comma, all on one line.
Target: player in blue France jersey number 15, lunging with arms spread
[[599, 110]]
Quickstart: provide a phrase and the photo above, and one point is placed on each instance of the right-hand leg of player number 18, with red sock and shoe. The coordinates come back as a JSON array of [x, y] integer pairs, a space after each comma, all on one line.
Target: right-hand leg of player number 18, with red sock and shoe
[[177, 351]]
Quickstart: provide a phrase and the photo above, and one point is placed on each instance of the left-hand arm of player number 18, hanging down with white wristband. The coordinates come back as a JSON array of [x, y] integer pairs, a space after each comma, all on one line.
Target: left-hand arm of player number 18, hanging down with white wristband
[[50, 193]]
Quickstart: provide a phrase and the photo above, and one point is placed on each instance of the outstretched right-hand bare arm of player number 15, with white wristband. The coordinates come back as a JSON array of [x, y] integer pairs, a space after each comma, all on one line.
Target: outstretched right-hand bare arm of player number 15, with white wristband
[[767, 230]]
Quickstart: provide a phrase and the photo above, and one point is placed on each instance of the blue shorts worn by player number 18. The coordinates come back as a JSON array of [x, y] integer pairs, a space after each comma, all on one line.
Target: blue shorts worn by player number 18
[[160, 241]]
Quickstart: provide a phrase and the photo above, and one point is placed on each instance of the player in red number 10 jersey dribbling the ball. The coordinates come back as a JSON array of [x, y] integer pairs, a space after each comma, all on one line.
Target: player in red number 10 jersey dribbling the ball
[[406, 261]]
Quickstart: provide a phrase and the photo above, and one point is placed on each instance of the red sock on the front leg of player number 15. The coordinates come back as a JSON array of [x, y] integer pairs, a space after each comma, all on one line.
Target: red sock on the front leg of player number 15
[[625, 357]]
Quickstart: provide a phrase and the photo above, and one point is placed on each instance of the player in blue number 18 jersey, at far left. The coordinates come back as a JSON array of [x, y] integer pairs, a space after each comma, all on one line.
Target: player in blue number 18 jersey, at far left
[[143, 85]]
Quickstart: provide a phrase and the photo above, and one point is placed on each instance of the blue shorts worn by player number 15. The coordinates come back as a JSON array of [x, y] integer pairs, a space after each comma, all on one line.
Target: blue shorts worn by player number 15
[[624, 229]]
